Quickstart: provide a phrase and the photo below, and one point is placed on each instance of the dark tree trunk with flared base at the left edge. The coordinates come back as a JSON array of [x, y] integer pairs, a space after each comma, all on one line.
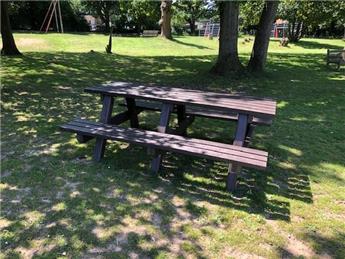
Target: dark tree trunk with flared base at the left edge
[[8, 45]]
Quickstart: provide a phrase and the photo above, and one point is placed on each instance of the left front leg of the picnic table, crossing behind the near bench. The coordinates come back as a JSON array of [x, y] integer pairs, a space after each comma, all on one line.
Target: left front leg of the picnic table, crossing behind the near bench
[[108, 103]]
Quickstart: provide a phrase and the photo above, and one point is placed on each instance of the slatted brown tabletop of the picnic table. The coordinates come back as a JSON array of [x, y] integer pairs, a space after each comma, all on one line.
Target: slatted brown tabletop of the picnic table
[[231, 103]]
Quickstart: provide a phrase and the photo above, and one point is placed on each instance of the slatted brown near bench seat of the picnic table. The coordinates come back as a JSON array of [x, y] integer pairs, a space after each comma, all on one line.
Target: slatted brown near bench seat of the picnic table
[[167, 142]]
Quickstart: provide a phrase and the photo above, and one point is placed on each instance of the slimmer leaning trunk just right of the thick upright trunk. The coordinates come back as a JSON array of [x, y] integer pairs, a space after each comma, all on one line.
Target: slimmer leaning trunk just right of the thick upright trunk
[[262, 38]]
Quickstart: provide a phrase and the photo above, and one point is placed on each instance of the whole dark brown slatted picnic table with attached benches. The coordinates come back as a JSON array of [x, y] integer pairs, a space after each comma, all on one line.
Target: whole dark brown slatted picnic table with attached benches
[[246, 111]]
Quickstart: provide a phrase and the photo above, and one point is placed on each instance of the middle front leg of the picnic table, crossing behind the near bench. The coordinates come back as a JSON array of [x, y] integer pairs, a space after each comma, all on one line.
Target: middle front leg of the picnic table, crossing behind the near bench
[[162, 127]]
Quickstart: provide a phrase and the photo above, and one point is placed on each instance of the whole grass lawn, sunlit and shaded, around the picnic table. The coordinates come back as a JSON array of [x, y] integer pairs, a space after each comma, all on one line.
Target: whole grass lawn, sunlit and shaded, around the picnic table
[[56, 202]]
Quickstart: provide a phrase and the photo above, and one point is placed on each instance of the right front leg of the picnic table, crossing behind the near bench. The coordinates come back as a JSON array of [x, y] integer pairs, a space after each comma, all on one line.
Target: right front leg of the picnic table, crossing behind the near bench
[[240, 136]]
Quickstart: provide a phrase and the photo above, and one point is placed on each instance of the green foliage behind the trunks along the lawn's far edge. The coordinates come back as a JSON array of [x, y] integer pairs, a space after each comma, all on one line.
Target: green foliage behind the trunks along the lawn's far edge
[[306, 18]]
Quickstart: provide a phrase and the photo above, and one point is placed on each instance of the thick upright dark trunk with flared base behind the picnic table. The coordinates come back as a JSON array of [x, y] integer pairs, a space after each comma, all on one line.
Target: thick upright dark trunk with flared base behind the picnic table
[[228, 60]]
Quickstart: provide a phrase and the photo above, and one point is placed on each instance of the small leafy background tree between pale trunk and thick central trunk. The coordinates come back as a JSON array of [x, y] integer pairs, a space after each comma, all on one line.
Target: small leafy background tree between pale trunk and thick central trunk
[[191, 11]]
